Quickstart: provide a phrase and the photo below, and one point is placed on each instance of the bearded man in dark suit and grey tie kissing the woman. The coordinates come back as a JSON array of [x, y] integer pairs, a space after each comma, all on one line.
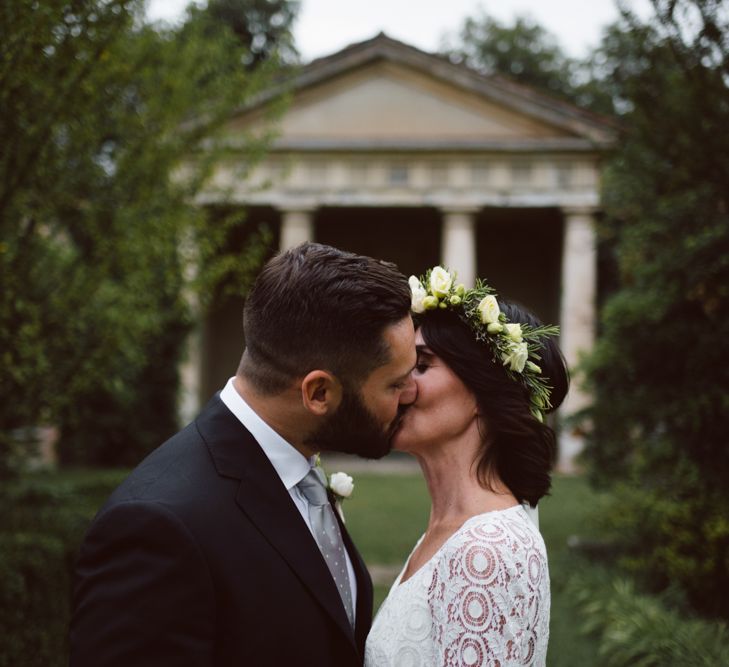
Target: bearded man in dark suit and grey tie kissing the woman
[[213, 552]]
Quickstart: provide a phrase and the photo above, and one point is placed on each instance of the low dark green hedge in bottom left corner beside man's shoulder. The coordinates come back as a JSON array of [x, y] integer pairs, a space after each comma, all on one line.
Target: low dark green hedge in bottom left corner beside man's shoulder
[[42, 521]]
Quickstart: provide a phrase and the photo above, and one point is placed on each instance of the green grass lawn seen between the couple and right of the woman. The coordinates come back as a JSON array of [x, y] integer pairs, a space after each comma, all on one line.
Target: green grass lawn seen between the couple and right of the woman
[[387, 514]]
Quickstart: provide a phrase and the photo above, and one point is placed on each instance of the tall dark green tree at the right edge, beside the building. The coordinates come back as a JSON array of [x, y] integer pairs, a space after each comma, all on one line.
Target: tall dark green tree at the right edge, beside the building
[[659, 374]]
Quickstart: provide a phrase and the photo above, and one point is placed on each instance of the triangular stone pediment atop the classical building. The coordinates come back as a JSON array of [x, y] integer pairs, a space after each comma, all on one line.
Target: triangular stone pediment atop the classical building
[[384, 93]]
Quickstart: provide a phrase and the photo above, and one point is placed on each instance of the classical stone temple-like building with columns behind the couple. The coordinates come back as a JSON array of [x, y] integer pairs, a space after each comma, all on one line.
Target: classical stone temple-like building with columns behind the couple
[[400, 154]]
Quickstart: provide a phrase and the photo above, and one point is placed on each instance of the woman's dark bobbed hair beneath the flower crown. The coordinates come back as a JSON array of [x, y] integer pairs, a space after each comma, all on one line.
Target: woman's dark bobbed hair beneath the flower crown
[[518, 449]]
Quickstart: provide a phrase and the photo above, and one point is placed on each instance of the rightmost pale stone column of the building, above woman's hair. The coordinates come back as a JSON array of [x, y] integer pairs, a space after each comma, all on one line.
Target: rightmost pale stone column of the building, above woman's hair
[[577, 317]]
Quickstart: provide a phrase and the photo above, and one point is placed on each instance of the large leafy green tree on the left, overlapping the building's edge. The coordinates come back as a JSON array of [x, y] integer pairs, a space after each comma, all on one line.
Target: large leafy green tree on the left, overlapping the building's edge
[[101, 121]]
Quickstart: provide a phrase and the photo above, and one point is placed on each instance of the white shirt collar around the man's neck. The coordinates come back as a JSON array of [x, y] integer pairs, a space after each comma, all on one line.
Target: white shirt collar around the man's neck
[[290, 464]]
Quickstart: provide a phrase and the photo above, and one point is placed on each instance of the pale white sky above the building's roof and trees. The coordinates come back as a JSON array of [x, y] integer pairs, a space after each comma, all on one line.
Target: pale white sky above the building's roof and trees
[[326, 26]]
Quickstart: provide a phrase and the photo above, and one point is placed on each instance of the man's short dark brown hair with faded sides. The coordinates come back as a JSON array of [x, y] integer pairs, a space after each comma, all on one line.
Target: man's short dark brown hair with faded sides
[[317, 307]]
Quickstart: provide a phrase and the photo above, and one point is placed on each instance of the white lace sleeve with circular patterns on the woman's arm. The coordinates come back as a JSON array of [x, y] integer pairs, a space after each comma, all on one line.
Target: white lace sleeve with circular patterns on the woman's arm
[[489, 597]]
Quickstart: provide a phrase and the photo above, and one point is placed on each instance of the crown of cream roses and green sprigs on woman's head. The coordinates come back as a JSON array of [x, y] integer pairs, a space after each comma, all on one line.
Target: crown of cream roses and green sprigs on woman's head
[[515, 346]]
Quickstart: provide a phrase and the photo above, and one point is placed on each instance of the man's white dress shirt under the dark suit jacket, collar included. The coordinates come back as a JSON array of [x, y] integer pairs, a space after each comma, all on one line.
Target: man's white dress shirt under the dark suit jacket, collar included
[[290, 464]]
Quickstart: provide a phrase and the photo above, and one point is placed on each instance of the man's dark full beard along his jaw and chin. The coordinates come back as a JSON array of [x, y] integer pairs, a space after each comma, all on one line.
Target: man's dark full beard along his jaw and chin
[[353, 429]]
